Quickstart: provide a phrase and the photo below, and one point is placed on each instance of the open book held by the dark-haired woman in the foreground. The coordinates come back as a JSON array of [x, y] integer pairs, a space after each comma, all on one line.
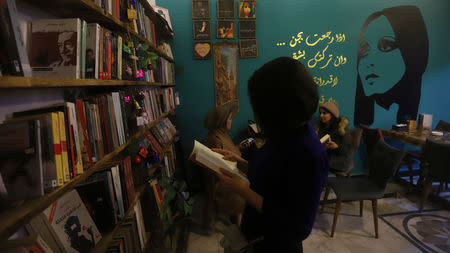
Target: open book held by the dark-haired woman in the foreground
[[207, 158]]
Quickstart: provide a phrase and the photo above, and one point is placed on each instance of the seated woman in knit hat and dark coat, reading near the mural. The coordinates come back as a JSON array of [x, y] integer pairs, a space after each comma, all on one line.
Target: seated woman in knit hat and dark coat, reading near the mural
[[338, 146]]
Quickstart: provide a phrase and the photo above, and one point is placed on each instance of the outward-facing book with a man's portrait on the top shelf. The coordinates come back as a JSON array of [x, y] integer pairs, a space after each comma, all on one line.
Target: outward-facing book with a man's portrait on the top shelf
[[55, 50]]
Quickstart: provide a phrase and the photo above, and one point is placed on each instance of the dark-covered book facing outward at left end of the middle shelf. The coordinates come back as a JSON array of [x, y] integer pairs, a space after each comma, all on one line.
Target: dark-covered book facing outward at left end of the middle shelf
[[21, 166]]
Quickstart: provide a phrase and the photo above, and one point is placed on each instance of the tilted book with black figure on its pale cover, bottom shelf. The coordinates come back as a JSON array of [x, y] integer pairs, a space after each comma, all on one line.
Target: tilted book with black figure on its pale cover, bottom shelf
[[73, 225]]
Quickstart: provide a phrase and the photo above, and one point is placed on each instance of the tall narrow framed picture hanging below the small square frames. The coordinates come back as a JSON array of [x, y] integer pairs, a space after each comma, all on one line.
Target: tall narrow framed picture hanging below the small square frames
[[225, 72]]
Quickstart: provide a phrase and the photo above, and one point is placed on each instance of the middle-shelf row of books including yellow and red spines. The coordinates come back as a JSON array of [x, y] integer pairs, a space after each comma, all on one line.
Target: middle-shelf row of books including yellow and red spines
[[50, 146]]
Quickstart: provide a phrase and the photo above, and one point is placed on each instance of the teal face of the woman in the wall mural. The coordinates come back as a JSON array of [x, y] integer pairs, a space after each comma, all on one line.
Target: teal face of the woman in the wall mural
[[381, 64]]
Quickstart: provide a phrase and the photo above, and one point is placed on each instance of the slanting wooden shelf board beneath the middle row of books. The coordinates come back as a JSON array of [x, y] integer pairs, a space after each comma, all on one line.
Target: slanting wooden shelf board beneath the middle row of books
[[14, 218]]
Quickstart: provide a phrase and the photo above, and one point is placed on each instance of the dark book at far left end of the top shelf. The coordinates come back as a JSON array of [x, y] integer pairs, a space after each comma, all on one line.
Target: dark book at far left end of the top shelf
[[14, 60]]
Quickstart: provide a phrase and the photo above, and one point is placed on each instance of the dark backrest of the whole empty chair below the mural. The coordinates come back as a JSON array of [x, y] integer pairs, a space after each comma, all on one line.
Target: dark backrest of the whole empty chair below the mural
[[383, 162]]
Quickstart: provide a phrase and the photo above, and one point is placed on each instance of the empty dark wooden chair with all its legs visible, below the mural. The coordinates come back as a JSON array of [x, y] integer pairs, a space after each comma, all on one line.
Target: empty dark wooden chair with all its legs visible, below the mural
[[384, 160]]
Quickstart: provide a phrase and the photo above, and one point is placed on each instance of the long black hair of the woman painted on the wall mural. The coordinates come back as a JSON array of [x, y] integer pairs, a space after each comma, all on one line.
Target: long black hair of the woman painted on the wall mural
[[412, 40]]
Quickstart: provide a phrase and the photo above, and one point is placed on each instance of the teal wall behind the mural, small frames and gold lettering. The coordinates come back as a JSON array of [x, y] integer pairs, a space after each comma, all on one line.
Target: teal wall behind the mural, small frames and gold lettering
[[277, 22]]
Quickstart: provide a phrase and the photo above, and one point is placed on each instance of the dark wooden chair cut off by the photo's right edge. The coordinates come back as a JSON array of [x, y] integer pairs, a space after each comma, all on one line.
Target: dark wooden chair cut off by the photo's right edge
[[435, 166]]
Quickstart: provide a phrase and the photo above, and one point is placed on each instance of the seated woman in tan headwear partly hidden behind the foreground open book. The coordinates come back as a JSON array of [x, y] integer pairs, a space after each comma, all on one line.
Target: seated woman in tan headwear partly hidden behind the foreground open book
[[220, 199]]
